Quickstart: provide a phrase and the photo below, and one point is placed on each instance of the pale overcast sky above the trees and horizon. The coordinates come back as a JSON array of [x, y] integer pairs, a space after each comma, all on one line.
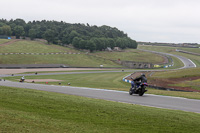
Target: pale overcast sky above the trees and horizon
[[175, 21]]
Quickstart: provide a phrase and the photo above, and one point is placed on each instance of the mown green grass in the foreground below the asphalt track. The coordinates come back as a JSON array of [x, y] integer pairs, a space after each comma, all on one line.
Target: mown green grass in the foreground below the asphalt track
[[23, 110]]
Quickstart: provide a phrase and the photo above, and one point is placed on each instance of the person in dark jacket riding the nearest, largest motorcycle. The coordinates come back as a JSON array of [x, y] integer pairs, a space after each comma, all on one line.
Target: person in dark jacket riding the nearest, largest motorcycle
[[138, 81]]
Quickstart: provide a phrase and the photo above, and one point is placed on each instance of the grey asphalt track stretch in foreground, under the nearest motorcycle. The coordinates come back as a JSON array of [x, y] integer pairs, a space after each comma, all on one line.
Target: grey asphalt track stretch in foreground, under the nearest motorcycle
[[168, 102]]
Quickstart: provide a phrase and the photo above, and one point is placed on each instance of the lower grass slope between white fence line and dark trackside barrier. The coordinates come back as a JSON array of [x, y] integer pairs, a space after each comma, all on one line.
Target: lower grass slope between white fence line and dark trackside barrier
[[78, 60]]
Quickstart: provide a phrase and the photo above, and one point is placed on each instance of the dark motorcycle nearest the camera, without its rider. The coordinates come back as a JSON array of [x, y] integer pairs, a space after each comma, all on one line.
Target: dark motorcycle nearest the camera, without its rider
[[140, 90]]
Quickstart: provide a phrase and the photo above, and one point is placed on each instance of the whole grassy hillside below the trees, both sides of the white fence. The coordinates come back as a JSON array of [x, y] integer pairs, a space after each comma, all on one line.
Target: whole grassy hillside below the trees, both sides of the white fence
[[75, 60]]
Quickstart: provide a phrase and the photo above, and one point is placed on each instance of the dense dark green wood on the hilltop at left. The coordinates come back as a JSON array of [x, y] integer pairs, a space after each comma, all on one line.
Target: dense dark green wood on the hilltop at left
[[81, 36]]
